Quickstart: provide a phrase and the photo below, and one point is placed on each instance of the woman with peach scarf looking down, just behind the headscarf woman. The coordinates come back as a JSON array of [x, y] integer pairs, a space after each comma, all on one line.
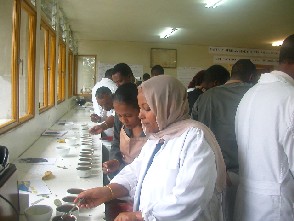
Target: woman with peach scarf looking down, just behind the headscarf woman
[[132, 137]]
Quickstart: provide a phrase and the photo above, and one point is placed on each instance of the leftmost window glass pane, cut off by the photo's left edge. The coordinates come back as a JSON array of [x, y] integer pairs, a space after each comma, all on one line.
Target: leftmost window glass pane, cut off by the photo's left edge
[[6, 91]]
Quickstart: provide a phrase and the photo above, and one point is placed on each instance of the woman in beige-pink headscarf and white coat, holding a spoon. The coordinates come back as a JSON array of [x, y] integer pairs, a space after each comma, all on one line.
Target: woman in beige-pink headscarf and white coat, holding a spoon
[[180, 172]]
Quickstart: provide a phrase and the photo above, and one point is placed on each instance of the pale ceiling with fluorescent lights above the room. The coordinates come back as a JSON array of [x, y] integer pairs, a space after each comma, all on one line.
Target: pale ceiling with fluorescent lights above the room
[[236, 23]]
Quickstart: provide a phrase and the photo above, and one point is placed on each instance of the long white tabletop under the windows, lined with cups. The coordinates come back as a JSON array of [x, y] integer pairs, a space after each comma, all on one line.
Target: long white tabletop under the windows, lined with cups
[[63, 168]]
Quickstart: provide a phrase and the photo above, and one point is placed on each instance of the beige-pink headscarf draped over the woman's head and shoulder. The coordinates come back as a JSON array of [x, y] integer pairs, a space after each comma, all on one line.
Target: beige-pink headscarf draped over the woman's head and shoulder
[[167, 99]]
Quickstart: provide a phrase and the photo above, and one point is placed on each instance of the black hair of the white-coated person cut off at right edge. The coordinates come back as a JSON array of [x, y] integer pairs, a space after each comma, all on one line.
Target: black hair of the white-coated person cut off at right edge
[[287, 50]]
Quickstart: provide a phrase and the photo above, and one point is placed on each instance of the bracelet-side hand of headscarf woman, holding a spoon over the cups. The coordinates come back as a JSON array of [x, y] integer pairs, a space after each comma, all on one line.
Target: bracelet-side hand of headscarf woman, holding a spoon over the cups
[[93, 197]]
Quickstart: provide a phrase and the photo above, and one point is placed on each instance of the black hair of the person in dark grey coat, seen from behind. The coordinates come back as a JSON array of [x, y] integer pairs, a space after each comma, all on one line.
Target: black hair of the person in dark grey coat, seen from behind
[[243, 69]]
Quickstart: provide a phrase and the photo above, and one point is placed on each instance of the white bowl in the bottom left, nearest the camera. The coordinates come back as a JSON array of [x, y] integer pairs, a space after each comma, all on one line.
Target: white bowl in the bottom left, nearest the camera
[[38, 213]]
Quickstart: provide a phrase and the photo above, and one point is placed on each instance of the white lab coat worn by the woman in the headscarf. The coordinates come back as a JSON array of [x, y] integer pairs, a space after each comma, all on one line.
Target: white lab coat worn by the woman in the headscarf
[[180, 184]]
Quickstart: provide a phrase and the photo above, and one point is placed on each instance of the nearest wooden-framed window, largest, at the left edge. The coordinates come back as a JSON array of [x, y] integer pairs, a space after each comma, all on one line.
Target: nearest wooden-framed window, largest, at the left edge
[[18, 19]]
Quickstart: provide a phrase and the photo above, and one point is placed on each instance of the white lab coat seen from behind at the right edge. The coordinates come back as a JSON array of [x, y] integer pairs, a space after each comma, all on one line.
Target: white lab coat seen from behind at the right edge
[[265, 135]]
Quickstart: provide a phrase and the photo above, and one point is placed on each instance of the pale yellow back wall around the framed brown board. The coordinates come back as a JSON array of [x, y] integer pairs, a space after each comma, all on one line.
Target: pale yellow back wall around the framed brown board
[[139, 53]]
